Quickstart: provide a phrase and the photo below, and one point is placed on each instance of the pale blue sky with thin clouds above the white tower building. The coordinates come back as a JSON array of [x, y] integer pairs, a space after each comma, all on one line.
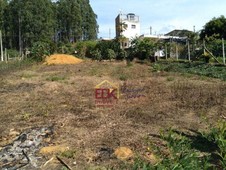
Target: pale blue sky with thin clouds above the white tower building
[[162, 15]]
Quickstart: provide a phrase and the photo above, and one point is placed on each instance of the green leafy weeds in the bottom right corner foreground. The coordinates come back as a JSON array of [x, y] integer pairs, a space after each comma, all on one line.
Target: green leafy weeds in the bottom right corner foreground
[[179, 150]]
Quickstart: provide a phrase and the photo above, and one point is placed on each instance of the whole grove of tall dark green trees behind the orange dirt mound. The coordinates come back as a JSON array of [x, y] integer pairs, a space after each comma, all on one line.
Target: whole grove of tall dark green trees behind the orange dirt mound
[[53, 24]]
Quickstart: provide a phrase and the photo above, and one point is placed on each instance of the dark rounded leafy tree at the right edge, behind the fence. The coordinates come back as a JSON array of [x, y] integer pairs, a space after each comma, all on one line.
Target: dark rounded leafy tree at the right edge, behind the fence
[[214, 26]]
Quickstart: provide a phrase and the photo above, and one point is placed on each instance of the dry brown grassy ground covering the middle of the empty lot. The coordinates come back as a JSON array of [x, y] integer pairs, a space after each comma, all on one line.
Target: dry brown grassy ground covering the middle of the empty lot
[[63, 96]]
